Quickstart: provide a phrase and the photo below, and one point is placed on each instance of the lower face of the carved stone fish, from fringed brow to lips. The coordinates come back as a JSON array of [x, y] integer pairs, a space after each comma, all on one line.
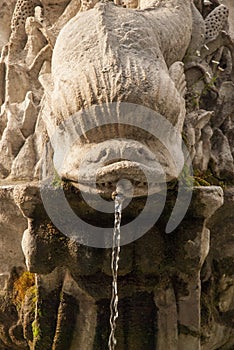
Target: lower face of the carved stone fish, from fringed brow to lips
[[97, 147]]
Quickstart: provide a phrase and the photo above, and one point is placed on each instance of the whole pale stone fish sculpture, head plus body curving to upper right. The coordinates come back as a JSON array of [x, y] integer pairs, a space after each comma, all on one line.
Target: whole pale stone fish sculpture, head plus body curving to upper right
[[111, 55]]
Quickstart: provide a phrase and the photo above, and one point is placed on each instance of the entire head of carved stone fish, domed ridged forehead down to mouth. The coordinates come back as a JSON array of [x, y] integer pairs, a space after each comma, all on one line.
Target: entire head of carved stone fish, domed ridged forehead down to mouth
[[111, 125]]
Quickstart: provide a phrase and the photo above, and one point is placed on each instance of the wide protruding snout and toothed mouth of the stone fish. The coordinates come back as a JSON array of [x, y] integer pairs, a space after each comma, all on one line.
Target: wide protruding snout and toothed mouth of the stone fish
[[105, 164]]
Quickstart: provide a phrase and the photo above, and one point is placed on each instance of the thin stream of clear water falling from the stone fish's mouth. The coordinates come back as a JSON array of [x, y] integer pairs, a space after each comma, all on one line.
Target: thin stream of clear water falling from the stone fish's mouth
[[114, 268]]
